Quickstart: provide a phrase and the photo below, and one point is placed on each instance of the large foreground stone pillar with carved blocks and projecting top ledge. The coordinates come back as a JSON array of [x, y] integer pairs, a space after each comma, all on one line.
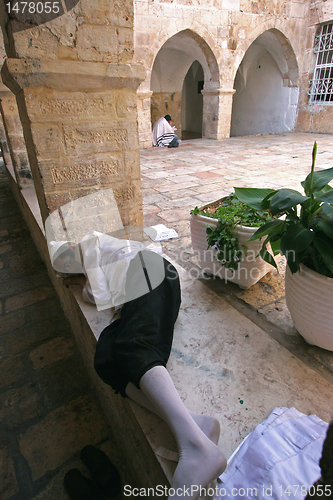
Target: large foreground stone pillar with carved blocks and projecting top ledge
[[80, 126]]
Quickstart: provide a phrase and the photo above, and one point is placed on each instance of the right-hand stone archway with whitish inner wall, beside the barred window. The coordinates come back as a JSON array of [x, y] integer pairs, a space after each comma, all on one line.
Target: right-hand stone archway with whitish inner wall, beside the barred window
[[266, 85]]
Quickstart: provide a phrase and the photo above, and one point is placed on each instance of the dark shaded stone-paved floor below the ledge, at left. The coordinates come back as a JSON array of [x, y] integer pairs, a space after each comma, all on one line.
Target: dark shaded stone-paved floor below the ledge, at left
[[48, 410]]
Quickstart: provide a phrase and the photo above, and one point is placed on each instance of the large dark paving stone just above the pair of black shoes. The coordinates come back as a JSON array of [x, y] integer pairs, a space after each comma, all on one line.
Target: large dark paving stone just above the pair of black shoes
[[62, 434]]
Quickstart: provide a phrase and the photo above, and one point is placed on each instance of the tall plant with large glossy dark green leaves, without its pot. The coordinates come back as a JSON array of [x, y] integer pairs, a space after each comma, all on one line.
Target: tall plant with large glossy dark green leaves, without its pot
[[305, 233]]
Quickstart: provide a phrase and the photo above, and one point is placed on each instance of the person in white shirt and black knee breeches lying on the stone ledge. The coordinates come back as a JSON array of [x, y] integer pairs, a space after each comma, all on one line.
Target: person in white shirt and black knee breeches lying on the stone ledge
[[132, 352]]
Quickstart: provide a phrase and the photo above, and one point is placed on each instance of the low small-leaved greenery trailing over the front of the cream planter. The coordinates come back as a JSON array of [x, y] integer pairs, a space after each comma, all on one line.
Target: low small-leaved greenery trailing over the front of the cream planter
[[222, 239]]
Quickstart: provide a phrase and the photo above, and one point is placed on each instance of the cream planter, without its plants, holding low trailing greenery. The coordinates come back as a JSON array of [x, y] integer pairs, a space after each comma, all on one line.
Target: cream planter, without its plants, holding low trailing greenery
[[251, 268]]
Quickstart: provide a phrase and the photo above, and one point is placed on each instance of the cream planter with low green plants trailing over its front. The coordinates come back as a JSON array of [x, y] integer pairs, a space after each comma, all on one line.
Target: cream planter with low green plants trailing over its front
[[220, 232]]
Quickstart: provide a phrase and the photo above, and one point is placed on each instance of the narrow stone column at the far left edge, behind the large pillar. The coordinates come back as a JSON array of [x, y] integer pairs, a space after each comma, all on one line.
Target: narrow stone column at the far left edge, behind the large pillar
[[15, 139]]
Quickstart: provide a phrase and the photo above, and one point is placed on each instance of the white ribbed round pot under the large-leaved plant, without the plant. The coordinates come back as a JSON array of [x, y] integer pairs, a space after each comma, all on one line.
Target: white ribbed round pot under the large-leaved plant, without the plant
[[309, 298]]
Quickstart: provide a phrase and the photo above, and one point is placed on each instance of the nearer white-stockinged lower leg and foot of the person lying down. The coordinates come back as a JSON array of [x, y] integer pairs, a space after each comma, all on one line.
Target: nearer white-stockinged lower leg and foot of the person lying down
[[200, 460]]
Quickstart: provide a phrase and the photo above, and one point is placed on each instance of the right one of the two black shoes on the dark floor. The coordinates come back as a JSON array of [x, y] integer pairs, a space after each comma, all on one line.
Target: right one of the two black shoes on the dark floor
[[104, 473]]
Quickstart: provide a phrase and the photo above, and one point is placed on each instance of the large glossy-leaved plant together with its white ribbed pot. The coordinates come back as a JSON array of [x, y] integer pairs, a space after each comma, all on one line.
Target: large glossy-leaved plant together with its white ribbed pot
[[303, 233]]
